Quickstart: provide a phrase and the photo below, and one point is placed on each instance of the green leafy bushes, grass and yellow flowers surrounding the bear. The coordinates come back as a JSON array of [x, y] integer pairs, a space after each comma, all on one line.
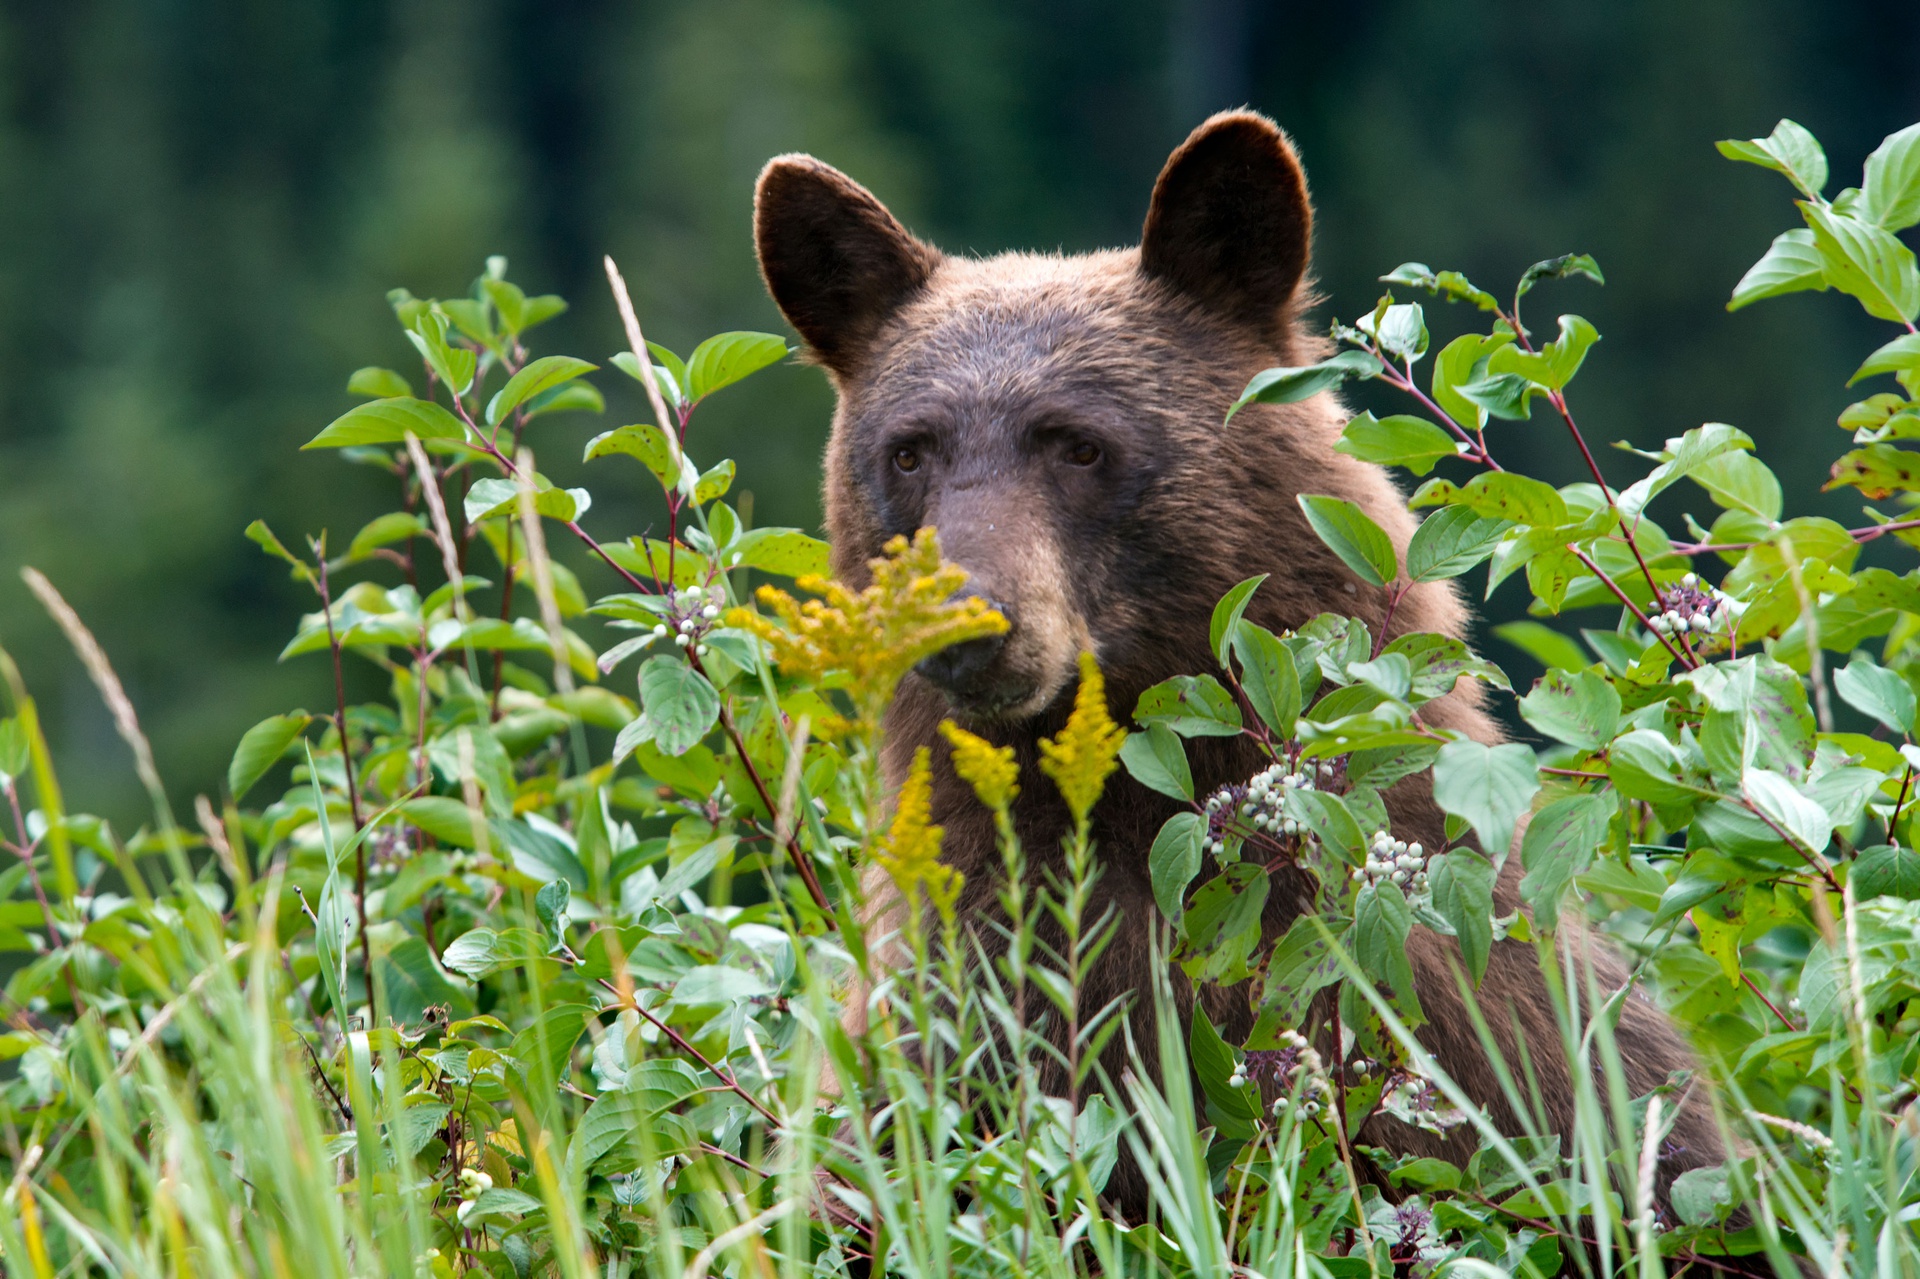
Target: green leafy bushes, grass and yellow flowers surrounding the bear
[[519, 975]]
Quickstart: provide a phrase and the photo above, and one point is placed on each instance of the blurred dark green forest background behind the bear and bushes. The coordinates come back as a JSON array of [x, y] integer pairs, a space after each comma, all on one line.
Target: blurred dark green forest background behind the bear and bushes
[[203, 205]]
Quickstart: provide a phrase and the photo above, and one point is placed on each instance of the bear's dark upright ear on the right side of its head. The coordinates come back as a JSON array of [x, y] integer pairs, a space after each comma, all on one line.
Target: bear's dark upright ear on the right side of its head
[[1230, 224]]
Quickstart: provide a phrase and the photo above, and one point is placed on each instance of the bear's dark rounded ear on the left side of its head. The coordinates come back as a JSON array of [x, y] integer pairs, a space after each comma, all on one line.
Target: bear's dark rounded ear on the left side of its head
[[834, 258]]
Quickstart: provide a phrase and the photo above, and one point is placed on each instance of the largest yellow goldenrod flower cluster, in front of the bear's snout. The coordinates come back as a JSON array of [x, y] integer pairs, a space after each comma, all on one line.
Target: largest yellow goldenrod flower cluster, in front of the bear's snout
[[875, 637]]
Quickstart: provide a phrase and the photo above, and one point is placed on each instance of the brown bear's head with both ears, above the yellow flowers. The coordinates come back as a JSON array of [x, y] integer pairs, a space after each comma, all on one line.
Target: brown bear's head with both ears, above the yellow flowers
[[1059, 420]]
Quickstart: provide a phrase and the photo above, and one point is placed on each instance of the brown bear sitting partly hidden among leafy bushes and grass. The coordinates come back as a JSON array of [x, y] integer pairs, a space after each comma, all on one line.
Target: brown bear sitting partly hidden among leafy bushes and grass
[[1059, 420]]
